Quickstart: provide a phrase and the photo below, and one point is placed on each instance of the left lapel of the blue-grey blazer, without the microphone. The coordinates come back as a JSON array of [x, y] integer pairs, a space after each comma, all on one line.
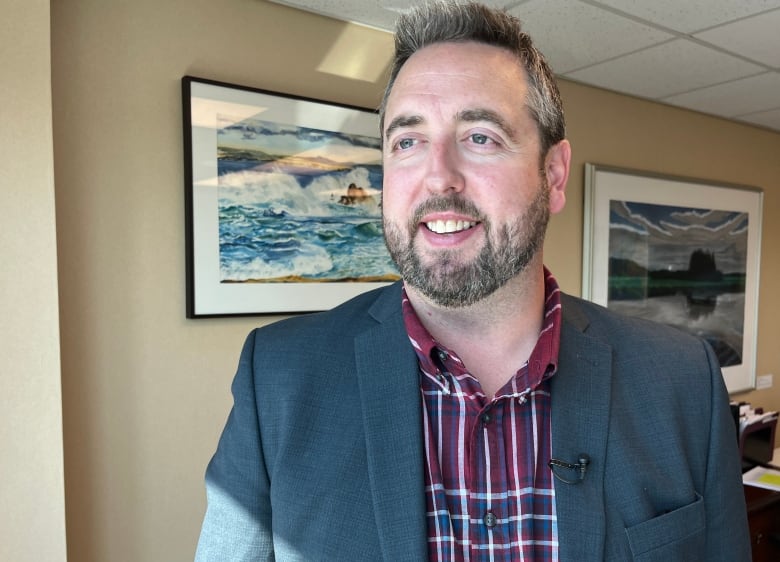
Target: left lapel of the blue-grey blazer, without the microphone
[[391, 405]]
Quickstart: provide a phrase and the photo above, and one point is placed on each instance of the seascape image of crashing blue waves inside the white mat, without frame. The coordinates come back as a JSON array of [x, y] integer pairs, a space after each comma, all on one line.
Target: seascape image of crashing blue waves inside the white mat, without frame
[[299, 204]]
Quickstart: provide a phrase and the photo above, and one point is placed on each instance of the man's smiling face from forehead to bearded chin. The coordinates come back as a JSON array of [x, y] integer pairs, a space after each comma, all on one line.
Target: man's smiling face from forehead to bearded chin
[[465, 202]]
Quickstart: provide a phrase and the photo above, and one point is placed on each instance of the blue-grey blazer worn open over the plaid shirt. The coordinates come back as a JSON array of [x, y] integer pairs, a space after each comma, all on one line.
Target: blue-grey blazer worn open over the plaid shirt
[[322, 455]]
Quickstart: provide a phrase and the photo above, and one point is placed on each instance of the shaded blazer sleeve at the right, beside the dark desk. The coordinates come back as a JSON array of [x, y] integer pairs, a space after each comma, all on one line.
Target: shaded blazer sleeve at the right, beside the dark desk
[[728, 537]]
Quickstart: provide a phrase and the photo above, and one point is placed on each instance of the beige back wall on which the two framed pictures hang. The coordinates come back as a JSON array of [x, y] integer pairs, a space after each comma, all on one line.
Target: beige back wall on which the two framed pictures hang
[[145, 391]]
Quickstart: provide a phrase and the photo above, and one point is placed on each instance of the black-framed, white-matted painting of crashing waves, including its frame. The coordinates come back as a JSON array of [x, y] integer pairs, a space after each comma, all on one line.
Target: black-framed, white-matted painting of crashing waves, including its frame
[[283, 201]]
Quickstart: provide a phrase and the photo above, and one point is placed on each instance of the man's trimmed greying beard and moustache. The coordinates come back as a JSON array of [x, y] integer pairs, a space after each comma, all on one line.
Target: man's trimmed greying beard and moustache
[[449, 282]]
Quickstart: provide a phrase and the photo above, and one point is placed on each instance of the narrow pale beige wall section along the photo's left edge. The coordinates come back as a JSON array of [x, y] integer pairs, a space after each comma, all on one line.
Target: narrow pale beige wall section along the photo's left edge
[[32, 494]]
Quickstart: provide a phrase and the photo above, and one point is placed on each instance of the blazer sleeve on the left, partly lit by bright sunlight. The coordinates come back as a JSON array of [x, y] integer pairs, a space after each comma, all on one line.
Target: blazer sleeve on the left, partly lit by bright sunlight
[[237, 524]]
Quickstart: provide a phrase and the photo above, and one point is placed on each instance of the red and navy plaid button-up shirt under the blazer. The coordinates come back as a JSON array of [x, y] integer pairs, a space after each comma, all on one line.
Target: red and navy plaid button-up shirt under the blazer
[[489, 491]]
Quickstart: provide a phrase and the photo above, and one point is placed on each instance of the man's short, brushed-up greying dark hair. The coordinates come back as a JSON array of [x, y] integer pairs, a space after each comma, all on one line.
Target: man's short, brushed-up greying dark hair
[[451, 21]]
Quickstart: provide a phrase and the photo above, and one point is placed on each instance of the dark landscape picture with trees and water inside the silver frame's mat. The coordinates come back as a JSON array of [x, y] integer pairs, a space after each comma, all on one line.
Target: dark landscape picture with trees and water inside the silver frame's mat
[[681, 266]]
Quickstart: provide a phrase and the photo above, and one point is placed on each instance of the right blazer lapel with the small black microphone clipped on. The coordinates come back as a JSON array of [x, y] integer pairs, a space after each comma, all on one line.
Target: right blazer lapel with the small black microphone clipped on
[[580, 416]]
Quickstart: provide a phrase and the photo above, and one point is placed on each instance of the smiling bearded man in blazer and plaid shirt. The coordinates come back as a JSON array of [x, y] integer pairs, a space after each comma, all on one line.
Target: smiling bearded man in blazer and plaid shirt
[[473, 412]]
